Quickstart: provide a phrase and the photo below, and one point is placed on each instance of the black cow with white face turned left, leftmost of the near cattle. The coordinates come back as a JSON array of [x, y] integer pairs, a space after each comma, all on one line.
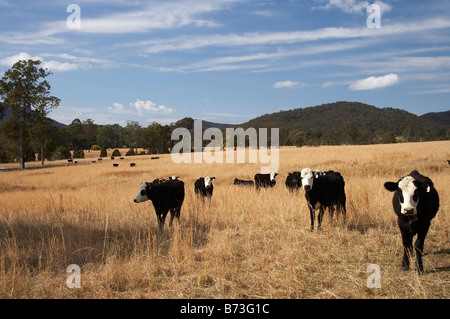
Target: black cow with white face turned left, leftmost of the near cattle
[[165, 196]]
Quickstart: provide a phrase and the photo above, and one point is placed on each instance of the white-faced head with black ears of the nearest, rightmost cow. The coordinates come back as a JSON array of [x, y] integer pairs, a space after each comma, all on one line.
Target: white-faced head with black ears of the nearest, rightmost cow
[[408, 190]]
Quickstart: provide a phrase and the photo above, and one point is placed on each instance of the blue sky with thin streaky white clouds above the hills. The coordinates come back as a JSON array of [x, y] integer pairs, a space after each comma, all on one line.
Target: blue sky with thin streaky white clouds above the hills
[[230, 60]]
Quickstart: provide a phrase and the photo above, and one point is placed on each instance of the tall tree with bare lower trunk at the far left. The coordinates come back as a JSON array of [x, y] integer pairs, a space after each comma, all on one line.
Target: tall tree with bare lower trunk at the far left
[[23, 90]]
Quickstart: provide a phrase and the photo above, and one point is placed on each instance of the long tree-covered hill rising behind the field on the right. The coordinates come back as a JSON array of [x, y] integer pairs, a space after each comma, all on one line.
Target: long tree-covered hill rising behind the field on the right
[[352, 123]]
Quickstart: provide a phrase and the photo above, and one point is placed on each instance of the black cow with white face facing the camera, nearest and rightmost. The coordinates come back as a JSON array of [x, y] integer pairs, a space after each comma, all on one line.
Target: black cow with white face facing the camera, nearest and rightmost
[[415, 203]]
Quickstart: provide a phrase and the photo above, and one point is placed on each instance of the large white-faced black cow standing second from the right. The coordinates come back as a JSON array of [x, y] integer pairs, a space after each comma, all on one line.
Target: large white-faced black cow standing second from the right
[[323, 191]]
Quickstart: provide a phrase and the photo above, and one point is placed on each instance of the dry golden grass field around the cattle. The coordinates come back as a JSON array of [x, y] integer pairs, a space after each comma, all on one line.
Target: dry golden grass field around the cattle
[[242, 244]]
